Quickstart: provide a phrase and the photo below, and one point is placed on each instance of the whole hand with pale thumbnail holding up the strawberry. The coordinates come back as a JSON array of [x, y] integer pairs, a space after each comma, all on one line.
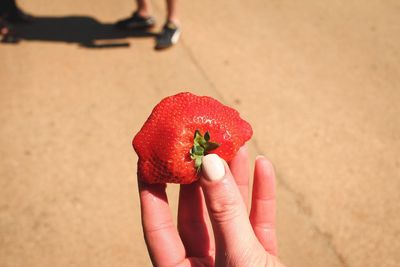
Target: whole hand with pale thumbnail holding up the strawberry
[[220, 195]]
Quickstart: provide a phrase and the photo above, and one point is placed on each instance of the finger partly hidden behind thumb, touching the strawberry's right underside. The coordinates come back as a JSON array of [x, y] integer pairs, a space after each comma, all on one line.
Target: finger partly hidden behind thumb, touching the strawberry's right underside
[[240, 169]]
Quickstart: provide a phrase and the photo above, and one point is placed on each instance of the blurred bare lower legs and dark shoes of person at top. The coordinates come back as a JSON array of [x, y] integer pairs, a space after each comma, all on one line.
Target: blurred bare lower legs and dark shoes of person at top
[[141, 19]]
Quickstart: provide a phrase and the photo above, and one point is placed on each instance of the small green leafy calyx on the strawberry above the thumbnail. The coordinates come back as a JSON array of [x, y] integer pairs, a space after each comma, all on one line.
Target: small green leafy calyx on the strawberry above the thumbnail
[[201, 146]]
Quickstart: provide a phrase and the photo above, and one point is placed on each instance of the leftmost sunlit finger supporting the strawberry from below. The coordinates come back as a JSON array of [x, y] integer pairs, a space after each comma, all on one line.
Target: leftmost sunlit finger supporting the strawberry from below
[[162, 238]]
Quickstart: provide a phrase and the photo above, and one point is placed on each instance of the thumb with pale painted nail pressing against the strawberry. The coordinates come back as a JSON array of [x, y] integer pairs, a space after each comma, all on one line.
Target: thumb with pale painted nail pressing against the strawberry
[[227, 211]]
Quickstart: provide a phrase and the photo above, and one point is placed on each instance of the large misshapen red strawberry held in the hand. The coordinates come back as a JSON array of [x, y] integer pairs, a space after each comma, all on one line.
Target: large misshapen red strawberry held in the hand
[[180, 131]]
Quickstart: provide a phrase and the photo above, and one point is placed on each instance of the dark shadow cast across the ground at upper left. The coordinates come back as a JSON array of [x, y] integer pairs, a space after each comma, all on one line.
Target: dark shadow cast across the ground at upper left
[[82, 30]]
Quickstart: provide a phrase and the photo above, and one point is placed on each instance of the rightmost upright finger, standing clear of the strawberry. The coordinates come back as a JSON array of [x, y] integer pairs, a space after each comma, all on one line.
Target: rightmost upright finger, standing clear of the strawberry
[[262, 214]]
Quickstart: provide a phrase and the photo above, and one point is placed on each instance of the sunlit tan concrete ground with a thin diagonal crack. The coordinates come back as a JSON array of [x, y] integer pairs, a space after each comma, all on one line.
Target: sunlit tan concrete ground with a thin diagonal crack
[[318, 81]]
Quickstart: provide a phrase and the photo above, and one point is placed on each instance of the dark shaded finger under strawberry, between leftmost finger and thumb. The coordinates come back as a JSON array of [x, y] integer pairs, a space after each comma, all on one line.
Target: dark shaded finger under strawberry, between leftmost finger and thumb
[[192, 226]]
